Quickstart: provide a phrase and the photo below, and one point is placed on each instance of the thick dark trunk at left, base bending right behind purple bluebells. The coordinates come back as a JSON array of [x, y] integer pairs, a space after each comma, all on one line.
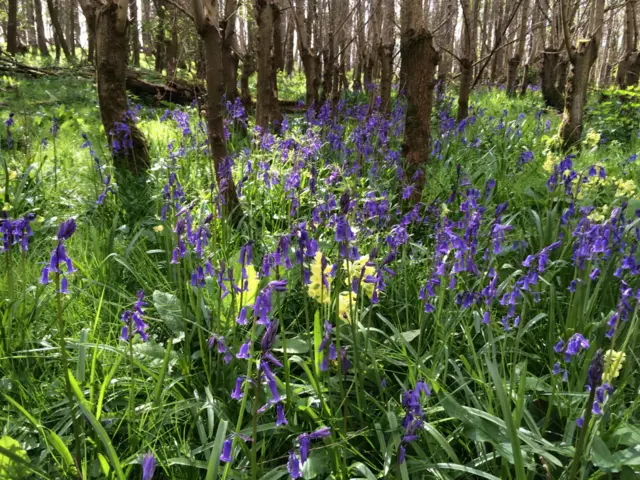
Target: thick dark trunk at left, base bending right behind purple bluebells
[[127, 143]]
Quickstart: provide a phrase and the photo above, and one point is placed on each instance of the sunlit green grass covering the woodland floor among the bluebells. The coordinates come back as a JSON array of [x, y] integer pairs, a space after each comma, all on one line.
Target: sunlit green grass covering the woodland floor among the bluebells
[[496, 409]]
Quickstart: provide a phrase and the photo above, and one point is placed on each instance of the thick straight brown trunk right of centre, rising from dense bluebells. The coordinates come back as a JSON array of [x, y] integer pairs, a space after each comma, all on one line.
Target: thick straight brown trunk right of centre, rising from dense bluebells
[[421, 60]]
